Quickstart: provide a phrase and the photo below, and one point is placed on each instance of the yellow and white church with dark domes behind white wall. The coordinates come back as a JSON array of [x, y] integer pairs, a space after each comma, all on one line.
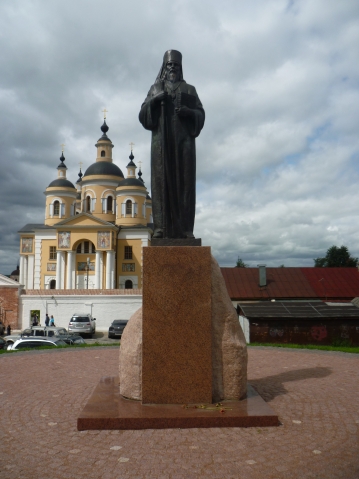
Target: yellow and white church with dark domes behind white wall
[[94, 232]]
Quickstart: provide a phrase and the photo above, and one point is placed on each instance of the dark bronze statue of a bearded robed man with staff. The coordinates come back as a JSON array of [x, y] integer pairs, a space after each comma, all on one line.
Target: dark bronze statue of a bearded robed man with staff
[[174, 114]]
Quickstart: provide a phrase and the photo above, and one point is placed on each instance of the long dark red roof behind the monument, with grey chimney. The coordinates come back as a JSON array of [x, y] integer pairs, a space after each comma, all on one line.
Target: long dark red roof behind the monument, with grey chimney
[[292, 283]]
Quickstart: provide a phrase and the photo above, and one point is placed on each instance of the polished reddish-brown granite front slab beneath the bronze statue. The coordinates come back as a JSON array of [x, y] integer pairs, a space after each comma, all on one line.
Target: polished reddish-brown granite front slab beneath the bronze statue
[[177, 330]]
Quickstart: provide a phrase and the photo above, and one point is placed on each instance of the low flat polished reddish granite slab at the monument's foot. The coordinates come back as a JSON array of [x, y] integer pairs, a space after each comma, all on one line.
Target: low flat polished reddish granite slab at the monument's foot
[[107, 409]]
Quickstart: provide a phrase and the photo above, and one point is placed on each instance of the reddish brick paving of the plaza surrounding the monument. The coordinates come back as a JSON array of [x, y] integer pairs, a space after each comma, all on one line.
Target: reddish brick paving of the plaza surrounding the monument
[[315, 394]]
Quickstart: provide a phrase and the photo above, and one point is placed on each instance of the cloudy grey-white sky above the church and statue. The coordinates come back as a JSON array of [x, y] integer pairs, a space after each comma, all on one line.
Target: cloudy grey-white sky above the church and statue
[[277, 160]]
